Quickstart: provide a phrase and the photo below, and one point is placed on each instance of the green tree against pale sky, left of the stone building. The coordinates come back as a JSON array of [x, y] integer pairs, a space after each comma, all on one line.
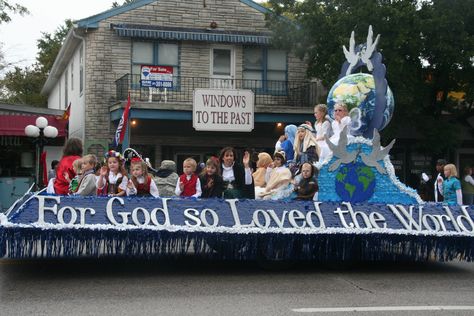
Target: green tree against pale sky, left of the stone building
[[23, 85]]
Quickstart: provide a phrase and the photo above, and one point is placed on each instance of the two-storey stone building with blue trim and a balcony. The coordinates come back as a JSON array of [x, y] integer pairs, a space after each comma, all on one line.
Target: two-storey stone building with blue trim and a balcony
[[213, 44]]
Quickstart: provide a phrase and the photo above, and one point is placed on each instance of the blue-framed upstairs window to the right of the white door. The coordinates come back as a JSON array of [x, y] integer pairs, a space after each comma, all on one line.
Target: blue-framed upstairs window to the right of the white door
[[265, 70]]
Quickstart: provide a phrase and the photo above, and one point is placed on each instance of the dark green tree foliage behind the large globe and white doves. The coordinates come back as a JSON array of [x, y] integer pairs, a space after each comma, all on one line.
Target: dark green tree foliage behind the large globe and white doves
[[428, 48]]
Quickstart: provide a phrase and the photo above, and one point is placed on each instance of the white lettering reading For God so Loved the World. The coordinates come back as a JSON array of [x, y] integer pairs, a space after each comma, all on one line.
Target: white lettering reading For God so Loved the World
[[117, 214]]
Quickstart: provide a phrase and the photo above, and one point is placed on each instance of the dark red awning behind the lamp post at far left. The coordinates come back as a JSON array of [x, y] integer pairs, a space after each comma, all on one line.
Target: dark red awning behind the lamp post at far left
[[14, 125]]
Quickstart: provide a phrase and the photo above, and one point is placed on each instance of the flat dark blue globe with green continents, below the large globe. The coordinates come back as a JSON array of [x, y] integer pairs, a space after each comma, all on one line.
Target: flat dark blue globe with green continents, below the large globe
[[355, 182]]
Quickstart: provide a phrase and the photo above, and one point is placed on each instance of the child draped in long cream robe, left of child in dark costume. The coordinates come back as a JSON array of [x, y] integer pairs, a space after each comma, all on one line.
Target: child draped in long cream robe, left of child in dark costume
[[278, 179]]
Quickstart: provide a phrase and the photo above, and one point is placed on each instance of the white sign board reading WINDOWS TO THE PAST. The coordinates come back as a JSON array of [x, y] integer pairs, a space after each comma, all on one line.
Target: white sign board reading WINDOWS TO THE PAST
[[226, 110]]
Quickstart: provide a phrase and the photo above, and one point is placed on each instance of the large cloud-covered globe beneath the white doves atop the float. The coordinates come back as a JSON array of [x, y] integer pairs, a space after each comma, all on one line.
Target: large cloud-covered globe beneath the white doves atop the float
[[358, 91]]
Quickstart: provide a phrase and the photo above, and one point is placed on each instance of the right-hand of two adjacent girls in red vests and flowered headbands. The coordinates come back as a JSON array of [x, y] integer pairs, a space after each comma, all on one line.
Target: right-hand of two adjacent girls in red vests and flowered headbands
[[140, 182]]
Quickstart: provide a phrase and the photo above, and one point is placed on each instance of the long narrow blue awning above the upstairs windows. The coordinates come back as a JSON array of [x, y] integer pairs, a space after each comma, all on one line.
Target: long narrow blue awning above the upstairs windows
[[188, 34]]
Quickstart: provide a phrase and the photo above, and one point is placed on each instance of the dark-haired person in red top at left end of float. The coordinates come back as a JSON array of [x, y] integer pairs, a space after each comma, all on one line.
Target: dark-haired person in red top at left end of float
[[72, 151]]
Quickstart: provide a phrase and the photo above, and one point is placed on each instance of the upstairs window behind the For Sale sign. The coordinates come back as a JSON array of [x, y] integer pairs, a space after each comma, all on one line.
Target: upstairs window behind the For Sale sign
[[154, 54]]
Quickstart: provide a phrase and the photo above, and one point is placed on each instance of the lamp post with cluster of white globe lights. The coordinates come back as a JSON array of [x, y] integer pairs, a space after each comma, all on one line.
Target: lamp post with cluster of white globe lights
[[40, 131]]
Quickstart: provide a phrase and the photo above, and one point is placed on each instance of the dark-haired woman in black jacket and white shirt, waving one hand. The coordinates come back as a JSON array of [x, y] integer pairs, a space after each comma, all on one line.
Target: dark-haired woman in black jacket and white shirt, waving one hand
[[238, 181]]
